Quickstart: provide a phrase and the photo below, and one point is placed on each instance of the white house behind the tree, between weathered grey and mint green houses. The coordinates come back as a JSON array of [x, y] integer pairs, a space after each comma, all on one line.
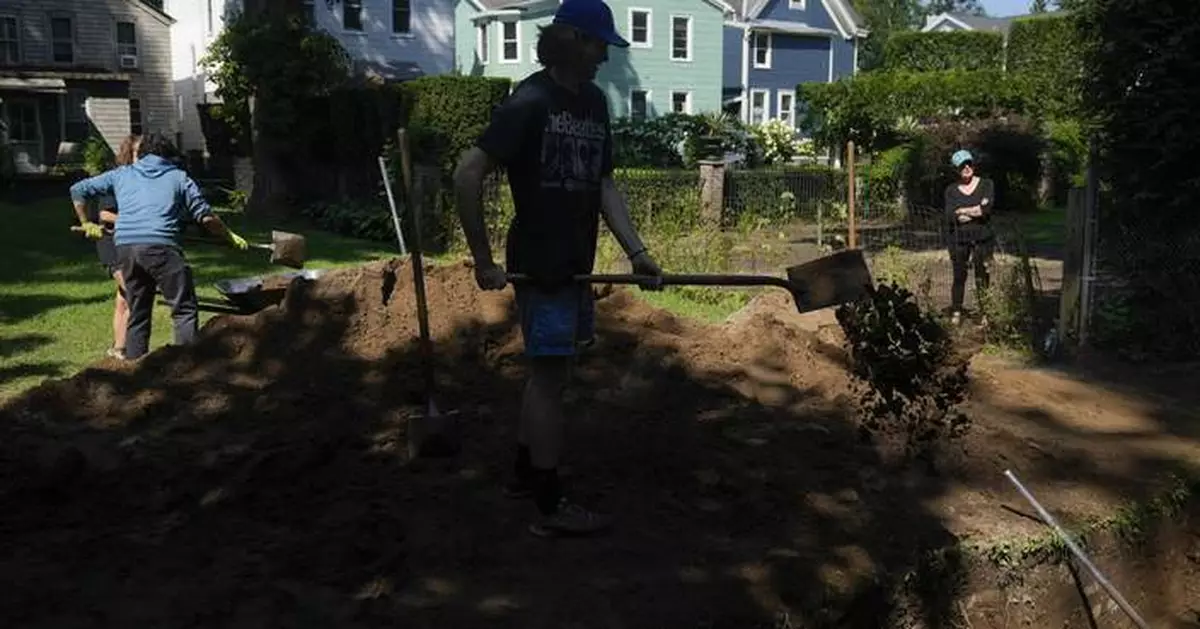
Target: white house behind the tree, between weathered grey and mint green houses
[[395, 40]]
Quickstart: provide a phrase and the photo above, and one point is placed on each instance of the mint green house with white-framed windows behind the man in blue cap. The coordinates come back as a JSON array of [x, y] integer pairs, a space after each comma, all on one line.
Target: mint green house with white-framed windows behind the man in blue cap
[[674, 62]]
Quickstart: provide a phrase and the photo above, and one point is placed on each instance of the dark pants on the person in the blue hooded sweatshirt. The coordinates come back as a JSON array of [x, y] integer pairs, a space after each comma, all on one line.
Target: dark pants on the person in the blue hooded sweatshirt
[[147, 269]]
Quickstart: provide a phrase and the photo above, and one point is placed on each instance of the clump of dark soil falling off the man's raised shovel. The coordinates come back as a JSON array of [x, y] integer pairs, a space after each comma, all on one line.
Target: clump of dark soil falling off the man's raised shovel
[[911, 380]]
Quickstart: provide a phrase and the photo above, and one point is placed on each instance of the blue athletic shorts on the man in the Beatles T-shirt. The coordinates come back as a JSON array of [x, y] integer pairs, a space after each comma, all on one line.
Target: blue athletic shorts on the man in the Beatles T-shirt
[[554, 324]]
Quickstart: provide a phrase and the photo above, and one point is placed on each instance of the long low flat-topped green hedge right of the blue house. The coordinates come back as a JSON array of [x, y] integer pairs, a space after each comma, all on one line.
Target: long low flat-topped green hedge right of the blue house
[[871, 107]]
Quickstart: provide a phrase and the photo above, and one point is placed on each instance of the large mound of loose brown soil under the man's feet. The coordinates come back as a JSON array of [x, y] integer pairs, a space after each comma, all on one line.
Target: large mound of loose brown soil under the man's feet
[[261, 480]]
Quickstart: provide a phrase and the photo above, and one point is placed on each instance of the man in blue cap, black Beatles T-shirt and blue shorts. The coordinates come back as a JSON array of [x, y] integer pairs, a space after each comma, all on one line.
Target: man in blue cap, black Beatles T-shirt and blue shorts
[[554, 139]]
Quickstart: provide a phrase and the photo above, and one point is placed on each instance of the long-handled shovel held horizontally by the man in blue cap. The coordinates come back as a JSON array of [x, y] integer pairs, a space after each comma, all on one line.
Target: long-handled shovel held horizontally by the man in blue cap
[[820, 284]]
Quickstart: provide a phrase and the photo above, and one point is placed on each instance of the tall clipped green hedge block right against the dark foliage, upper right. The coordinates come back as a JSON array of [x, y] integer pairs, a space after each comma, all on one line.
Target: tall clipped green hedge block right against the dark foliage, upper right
[[1045, 52]]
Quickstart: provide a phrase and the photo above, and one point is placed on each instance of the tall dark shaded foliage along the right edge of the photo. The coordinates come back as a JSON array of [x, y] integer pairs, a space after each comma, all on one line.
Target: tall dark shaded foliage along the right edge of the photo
[[1139, 58]]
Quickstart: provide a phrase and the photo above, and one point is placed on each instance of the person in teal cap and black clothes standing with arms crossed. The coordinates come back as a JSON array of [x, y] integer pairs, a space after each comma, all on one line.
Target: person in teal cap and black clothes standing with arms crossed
[[969, 208]]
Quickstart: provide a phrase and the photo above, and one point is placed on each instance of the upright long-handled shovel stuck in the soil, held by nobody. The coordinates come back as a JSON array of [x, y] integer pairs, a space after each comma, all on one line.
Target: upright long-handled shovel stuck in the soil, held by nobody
[[433, 435]]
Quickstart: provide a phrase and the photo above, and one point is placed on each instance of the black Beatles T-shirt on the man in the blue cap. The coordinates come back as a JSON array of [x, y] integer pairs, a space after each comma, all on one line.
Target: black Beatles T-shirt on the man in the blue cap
[[556, 147]]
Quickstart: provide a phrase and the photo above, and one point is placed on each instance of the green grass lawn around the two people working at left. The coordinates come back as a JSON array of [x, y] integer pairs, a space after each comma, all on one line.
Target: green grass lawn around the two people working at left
[[57, 302]]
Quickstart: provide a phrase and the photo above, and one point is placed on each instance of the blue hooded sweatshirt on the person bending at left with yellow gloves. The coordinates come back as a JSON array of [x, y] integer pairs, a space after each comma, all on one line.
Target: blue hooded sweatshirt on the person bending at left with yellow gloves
[[157, 201]]
